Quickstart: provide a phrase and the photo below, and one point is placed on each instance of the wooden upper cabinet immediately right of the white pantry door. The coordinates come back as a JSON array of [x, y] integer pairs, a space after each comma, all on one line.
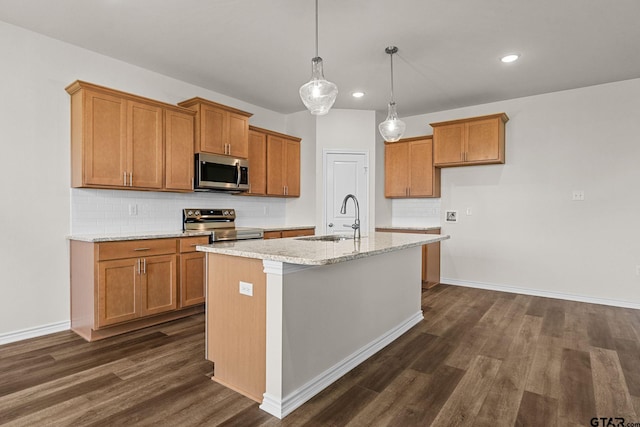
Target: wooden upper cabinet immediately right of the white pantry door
[[409, 170]]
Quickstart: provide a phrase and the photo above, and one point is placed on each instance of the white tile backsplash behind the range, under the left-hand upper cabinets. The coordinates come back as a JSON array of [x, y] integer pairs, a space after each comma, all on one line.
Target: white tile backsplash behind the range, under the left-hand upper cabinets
[[116, 211]]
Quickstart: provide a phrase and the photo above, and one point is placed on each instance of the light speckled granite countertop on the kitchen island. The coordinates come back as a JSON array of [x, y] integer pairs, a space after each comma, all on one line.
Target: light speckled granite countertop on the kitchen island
[[304, 252]]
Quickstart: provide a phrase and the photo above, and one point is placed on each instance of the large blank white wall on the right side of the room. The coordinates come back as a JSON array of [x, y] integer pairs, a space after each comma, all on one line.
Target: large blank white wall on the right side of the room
[[525, 231]]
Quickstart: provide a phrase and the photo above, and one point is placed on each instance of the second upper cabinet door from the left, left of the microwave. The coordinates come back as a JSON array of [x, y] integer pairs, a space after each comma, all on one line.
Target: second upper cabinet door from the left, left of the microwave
[[145, 147]]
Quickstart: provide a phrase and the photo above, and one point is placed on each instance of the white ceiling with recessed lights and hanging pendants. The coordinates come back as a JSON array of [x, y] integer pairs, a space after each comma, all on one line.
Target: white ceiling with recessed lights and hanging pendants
[[260, 51]]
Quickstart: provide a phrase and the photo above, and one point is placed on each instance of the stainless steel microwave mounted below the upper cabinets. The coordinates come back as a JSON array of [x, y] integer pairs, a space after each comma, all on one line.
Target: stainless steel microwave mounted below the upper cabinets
[[221, 173]]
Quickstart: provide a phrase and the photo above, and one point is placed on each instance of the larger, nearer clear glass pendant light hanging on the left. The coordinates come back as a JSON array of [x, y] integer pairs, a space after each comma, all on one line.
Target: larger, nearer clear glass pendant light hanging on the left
[[318, 95]]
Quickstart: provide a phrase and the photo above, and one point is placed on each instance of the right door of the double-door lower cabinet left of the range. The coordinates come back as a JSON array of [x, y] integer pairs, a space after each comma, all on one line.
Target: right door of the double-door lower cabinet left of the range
[[159, 286]]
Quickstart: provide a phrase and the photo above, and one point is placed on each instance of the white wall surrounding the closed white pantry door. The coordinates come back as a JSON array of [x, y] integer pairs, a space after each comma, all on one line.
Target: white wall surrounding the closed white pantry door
[[345, 130]]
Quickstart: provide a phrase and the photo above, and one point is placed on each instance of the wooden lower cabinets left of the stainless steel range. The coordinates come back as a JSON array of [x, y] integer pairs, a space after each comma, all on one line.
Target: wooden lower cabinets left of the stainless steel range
[[118, 287]]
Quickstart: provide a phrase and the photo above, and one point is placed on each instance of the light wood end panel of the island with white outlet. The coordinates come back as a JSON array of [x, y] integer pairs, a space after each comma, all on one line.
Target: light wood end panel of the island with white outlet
[[236, 324]]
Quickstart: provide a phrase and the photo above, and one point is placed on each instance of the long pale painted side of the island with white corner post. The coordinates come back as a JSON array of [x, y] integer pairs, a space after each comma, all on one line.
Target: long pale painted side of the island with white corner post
[[325, 320]]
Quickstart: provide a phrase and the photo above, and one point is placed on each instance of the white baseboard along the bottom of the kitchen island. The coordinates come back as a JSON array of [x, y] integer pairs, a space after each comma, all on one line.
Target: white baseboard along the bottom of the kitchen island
[[282, 408]]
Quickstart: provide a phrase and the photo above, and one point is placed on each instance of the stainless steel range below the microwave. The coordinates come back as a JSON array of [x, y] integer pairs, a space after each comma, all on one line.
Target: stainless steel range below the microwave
[[221, 223]]
